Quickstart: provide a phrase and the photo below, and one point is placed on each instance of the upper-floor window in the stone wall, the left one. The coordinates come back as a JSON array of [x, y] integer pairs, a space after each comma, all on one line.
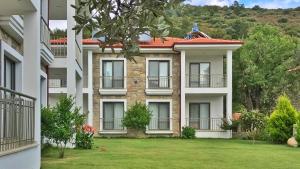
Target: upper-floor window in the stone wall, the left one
[[113, 74]]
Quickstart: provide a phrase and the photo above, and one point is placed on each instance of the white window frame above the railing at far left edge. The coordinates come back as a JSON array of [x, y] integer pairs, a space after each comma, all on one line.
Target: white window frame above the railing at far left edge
[[12, 54]]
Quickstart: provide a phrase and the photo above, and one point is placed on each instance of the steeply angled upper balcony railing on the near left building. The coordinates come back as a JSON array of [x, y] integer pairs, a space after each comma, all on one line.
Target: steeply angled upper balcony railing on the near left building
[[46, 52]]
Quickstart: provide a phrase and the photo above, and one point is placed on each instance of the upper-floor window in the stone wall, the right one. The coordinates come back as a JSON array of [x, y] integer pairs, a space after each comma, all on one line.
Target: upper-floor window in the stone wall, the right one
[[159, 74]]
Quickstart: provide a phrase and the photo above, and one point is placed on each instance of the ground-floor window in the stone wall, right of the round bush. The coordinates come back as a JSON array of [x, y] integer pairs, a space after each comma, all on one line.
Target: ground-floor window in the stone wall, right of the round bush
[[160, 119]]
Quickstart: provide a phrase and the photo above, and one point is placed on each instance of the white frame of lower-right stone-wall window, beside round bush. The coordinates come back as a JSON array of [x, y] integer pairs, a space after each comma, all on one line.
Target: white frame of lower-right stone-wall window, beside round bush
[[170, 131]]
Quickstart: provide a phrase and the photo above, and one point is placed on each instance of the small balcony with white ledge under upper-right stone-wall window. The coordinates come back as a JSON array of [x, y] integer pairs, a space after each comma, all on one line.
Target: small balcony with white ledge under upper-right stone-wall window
[[159, 85]]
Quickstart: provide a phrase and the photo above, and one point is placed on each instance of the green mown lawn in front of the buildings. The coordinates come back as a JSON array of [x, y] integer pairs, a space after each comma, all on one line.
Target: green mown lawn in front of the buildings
[[175, 153]]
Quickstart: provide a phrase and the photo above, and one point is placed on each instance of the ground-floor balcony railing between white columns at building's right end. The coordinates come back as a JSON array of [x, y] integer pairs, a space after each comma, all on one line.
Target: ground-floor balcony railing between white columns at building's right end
[[206, 124]]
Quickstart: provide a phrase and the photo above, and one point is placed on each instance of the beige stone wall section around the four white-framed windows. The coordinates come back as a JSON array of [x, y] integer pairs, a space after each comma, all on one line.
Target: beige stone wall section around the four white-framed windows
[[136, 84]]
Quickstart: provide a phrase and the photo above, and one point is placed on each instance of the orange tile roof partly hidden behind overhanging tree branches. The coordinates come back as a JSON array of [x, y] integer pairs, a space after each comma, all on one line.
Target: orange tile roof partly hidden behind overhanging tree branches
[[158, 43]]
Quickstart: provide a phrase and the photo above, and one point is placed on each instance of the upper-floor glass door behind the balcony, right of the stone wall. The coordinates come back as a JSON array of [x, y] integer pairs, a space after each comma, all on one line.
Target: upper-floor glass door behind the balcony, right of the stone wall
[[199, 75]]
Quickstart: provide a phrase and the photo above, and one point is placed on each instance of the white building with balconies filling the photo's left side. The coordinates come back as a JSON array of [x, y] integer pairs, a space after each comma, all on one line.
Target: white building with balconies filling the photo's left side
[[25, 58]]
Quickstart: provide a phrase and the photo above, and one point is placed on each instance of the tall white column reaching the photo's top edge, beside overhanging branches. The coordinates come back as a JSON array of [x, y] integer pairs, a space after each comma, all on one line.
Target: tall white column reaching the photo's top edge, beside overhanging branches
[[71, 75]]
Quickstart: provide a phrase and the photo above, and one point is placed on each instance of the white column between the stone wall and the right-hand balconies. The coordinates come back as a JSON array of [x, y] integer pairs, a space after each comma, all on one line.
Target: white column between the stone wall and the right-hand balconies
[[182, 89]]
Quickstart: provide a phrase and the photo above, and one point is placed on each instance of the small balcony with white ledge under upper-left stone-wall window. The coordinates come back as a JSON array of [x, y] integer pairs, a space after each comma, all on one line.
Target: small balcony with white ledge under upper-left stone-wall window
[[113, 85]]
